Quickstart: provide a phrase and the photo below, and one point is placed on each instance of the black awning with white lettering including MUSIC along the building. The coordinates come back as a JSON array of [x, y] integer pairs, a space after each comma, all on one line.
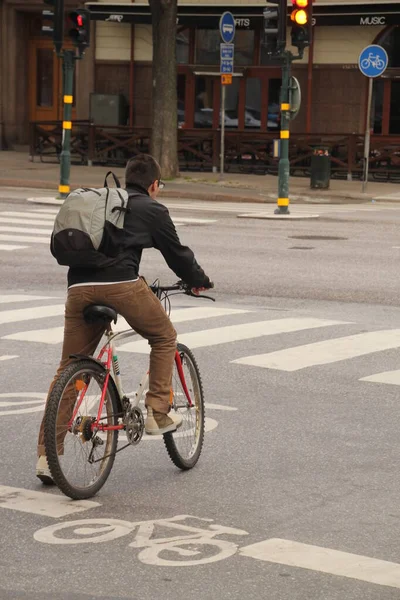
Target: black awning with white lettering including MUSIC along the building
[[249, 16]]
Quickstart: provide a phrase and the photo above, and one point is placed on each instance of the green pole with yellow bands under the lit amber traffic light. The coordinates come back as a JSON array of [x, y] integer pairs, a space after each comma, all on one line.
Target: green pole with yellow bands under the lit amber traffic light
[[283, 172]]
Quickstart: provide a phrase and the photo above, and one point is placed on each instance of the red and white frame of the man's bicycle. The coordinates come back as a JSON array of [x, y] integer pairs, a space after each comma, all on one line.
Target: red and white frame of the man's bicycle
[[111, 365]]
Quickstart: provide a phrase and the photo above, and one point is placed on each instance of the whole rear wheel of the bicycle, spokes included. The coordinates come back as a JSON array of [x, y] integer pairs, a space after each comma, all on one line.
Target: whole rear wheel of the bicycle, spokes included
[[80, 459]]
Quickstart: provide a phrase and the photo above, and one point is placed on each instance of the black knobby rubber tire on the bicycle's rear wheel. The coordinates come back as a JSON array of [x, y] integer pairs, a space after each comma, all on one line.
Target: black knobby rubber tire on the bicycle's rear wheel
[[60, 478]]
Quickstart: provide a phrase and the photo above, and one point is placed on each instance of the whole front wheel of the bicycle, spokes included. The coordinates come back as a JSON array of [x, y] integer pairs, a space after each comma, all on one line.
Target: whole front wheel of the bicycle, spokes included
[[184, 446]]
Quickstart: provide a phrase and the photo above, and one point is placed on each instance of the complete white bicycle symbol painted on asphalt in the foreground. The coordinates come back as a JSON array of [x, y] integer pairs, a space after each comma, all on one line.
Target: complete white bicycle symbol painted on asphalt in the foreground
[[194, 545]]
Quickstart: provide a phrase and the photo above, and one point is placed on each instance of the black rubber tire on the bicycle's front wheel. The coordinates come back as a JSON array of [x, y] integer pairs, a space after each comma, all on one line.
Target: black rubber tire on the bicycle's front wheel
[[172, 440]]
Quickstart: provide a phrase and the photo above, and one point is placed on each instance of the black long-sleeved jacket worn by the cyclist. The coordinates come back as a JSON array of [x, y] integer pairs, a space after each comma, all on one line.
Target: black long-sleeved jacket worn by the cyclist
[[147, 225]]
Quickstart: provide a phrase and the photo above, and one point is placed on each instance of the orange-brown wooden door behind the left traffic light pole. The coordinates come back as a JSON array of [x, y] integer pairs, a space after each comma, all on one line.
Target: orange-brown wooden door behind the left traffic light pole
[[45, 82]]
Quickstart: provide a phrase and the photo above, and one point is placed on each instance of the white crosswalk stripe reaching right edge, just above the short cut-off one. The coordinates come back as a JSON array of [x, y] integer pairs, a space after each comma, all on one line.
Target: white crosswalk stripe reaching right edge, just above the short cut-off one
[[328, 351]]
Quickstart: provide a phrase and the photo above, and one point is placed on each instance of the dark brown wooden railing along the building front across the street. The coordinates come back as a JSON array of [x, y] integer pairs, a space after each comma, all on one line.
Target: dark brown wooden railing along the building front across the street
[[199, 149]]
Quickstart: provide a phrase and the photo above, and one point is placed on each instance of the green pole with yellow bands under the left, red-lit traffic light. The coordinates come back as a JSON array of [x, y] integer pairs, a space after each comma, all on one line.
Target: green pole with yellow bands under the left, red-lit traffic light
[[65, 158]]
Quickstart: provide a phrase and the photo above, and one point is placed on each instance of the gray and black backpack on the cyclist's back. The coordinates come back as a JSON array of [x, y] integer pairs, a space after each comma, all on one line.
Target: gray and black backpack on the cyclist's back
[[88, 230]]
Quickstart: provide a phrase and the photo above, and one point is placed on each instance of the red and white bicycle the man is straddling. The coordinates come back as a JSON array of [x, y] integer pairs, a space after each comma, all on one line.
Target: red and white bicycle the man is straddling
[[88, 408]]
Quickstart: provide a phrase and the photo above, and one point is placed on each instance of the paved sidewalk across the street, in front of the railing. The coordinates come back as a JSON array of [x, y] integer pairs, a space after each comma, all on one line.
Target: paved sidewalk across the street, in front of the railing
[[16, 170]]
